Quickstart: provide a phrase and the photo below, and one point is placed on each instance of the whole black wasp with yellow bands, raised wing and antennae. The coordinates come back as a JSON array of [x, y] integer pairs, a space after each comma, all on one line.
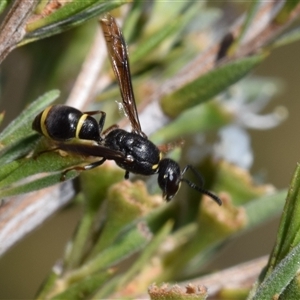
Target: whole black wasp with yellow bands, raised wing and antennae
[[78, 132]]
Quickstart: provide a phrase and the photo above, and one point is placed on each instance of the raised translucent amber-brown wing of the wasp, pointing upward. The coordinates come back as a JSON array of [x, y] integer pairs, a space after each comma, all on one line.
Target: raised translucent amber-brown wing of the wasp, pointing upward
[[117, 50]]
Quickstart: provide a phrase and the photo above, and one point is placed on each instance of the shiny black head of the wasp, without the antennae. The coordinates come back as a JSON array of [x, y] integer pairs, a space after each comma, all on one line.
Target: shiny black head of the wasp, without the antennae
[[169, 178]]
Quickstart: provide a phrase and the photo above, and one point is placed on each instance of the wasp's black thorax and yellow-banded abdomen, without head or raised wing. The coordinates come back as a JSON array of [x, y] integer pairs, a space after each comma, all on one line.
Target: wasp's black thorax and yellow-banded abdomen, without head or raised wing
[[75, 131]]
